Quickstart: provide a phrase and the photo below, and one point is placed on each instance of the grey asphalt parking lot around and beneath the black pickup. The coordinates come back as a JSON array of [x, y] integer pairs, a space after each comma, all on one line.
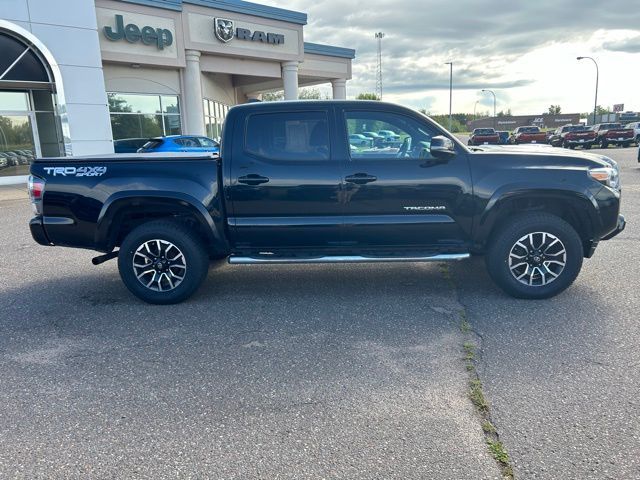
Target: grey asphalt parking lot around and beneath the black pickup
[[342, 371]]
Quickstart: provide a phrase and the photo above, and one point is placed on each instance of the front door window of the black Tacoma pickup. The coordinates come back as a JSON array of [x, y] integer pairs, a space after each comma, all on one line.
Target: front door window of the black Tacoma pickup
[[399, 136]]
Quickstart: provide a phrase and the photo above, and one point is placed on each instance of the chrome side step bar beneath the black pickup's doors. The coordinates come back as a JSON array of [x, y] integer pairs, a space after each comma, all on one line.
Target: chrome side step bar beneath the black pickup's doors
[[446, 257]]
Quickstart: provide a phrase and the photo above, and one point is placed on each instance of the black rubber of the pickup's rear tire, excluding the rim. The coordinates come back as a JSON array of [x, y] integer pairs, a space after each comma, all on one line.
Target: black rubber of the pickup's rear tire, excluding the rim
[[196, 260]]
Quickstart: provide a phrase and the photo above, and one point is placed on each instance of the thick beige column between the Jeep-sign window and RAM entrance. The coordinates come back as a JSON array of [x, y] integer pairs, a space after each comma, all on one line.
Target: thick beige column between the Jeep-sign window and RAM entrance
[[193, 113]]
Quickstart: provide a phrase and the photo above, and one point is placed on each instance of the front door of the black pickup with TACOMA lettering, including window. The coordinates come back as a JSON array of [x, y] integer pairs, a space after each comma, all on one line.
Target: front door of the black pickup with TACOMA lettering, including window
[[399, 196]]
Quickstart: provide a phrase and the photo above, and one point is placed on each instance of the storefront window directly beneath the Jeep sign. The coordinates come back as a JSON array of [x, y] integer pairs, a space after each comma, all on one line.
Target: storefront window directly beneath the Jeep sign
[[144, 116]]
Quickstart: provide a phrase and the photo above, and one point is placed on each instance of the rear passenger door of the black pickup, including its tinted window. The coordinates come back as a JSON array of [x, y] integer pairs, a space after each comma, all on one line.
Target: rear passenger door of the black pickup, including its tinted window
[[284, 180]]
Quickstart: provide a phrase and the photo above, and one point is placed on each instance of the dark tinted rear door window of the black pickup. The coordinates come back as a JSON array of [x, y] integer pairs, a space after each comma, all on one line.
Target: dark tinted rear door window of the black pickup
[[288, 136]]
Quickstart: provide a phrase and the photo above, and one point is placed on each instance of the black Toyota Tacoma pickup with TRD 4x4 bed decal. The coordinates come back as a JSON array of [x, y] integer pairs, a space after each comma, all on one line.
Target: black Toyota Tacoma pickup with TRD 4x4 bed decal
[[289, 188]]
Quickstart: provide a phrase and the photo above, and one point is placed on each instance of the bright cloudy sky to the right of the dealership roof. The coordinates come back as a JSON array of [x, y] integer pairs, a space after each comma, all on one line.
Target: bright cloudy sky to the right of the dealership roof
[[524, 51]]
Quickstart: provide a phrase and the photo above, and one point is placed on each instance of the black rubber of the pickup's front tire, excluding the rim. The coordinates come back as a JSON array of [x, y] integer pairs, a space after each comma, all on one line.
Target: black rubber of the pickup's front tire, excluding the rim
[[497, 257]]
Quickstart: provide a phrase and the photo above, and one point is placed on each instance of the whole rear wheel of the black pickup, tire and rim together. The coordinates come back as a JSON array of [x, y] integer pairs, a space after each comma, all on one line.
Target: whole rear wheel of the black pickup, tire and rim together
[[168, 241]]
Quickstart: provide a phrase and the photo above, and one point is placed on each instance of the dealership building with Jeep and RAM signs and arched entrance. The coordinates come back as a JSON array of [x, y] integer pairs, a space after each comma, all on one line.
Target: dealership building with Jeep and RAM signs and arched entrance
[[75, 75]]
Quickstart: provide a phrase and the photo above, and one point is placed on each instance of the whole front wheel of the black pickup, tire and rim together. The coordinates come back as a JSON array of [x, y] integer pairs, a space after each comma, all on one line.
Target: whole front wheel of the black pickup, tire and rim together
[[504, 253]]
